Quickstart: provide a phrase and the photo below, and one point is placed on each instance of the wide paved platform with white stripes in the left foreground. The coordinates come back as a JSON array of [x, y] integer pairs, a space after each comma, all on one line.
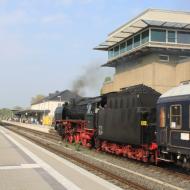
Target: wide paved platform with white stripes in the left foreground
[[26, 166]]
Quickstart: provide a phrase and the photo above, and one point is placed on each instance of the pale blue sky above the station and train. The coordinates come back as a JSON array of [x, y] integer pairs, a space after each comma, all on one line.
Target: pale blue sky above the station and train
[[45, 45]]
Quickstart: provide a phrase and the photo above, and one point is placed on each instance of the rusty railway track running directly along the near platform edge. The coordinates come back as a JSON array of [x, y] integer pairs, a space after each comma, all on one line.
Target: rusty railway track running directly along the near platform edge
[[44, 140]]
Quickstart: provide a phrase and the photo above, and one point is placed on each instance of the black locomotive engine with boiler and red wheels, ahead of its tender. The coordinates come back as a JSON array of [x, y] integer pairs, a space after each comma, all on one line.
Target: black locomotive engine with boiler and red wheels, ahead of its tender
[[77, 121]]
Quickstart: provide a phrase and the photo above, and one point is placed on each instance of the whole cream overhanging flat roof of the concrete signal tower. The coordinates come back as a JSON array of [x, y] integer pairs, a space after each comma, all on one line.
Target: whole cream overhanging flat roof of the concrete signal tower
[[150, 17]]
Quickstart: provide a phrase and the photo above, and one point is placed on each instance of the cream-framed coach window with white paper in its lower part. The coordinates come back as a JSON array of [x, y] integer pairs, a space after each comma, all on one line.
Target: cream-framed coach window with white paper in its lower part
[[175, 116]]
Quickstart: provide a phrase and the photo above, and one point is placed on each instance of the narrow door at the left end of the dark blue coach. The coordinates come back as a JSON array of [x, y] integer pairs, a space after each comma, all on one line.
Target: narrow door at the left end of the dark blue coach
[[162, 126]]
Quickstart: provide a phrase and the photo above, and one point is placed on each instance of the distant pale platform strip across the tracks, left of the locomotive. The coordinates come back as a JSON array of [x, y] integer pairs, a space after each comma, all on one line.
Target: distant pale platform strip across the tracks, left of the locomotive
[[42, 128]]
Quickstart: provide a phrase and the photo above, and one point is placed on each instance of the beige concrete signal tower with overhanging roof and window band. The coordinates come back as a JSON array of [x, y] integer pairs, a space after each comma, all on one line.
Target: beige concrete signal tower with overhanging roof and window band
[[151, 49]]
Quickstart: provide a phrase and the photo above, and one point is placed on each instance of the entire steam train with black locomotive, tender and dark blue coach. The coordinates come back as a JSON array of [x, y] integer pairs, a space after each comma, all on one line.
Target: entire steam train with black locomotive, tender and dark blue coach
[[136, 123]]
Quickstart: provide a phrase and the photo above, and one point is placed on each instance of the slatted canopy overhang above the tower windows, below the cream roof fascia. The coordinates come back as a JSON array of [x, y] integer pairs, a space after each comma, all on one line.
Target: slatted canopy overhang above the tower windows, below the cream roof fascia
[[134, 28]]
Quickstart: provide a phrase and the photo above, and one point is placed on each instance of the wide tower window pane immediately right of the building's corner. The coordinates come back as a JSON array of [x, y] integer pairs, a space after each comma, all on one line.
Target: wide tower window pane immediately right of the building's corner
[[158, 35]]
